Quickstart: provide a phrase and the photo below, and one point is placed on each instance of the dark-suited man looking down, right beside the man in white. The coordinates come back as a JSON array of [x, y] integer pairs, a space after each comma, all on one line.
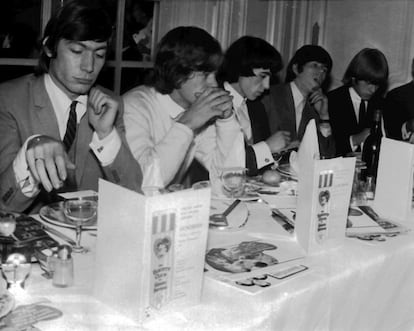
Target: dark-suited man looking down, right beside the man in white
[[248, 64]]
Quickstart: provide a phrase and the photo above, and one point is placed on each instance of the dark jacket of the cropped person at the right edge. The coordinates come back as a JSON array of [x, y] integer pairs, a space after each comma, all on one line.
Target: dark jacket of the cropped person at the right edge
[[399, 108]]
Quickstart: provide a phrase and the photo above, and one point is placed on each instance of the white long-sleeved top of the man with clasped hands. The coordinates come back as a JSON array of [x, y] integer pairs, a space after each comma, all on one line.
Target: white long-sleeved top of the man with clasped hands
[[164, 147]]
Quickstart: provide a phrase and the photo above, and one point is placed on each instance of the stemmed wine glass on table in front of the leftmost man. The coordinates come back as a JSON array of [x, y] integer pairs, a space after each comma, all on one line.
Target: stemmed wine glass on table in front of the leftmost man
[[79, 211]]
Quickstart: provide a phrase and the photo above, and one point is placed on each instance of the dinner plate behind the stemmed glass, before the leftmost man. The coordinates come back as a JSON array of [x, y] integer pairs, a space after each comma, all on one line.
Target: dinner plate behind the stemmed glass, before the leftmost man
[[53, 214]]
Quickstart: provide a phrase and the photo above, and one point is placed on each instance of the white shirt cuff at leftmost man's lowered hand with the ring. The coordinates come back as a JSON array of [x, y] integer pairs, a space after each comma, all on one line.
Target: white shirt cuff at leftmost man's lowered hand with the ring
[[23, 175]]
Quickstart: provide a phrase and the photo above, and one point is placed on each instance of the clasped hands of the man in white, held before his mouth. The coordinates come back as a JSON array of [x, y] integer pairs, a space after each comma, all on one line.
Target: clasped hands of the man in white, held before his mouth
[[213, 102]]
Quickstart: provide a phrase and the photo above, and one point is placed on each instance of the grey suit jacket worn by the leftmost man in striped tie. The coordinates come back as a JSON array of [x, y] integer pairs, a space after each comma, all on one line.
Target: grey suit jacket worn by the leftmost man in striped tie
[[26, 110]]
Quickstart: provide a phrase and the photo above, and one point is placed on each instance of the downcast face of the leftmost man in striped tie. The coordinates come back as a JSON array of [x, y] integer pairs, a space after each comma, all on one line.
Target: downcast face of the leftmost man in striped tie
[[77, 65]]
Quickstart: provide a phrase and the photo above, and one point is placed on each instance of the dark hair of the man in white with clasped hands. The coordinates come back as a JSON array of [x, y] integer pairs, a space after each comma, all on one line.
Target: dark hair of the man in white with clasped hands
[[181, 52]]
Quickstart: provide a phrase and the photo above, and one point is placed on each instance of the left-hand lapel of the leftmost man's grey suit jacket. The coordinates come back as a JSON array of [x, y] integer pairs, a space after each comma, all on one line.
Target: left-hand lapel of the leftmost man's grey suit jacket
[[46, 117]]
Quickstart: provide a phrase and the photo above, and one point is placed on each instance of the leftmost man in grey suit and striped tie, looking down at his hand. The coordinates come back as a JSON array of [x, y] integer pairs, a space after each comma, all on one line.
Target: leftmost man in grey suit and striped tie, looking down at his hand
[[57, 130]]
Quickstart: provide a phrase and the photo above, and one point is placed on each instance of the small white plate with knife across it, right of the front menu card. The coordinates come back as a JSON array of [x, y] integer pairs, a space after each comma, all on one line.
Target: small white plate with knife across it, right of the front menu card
[[236, 219]]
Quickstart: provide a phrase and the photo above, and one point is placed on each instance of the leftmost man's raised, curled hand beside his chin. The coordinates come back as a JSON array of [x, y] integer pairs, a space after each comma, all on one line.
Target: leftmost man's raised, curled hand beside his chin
[[102, 110]]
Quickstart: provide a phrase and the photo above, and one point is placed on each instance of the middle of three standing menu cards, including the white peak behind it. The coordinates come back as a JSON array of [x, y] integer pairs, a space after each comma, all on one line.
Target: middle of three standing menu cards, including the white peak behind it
[[324, 190]]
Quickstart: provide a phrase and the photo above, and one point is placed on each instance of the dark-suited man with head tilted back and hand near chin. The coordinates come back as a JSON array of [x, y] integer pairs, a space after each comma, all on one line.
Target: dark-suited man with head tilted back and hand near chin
[[292, 105]]
